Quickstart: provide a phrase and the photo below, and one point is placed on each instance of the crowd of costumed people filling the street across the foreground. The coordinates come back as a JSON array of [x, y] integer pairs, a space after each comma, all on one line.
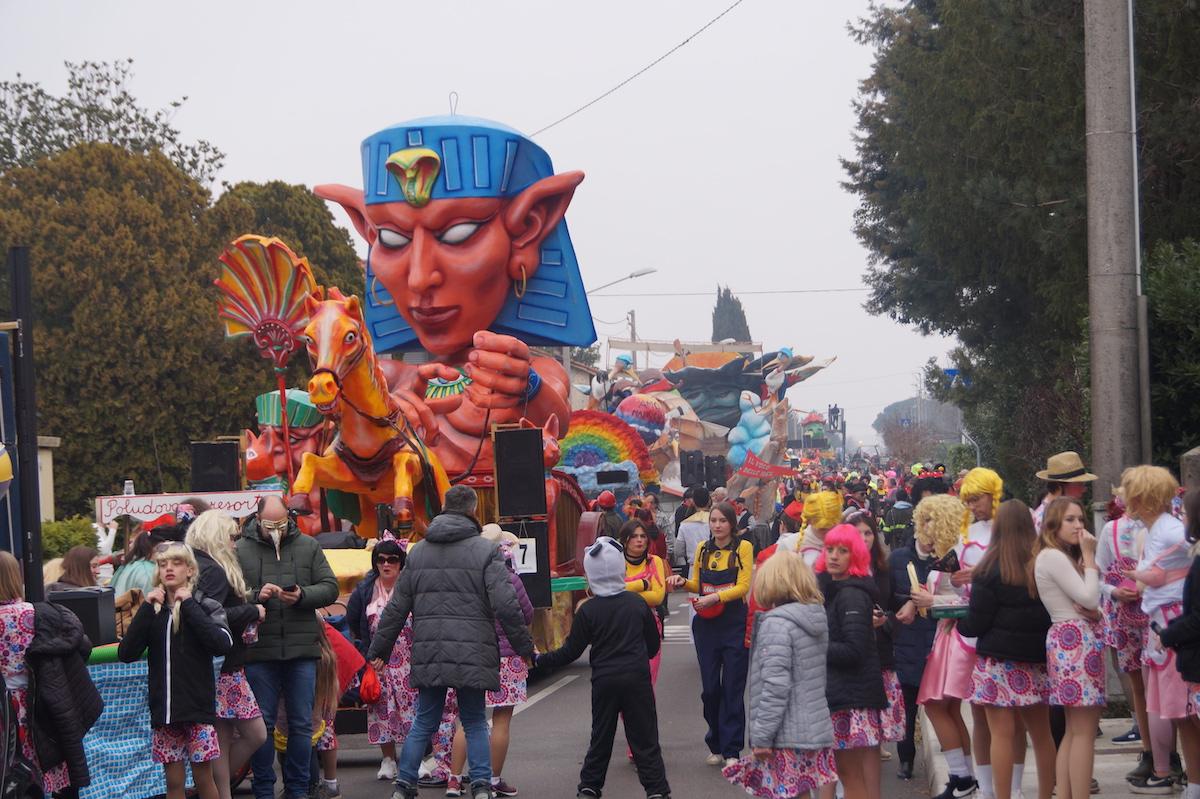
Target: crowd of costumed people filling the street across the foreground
[[819, 633]]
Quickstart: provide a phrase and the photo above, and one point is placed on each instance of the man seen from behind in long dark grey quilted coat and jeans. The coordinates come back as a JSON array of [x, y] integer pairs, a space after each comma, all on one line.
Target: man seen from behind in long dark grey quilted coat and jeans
[[455, 585]]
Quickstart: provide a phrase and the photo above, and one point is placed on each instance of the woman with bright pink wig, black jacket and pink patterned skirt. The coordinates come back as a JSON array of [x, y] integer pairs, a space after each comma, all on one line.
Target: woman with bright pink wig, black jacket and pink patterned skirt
[[855, 678]]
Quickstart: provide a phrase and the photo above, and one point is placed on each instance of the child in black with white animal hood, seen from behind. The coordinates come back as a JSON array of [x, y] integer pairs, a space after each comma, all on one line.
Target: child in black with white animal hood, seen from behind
[[620, 627]]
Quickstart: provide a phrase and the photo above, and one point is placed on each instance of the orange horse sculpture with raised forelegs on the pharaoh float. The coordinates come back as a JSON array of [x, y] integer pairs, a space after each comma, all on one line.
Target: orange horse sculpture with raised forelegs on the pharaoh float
[[377, 454]]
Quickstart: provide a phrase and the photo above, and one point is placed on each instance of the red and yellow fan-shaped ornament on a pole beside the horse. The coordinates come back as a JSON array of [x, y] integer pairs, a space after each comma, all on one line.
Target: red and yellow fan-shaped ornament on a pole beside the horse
[[263, 289]]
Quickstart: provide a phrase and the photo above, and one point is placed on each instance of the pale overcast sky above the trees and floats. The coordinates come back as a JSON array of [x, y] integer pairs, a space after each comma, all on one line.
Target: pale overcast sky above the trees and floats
[[717, 166]]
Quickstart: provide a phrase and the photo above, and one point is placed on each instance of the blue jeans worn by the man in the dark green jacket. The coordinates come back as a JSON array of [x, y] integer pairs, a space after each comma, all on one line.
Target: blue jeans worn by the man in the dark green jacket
[[296, 682]]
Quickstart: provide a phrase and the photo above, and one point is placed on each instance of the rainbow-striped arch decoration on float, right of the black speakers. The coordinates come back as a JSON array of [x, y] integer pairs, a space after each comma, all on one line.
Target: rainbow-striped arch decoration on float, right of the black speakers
[[601, 442]]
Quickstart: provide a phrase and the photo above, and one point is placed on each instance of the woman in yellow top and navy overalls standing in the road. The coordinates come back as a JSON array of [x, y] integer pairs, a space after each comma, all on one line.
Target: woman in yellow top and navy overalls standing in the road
[[721, 575]]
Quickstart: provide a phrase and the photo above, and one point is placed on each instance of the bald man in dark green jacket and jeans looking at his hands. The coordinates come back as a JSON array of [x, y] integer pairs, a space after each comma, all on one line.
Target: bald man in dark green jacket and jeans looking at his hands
[[289, 574]]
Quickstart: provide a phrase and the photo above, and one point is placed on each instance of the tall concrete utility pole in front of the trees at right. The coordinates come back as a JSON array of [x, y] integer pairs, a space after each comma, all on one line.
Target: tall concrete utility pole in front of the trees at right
[[1114, 281]]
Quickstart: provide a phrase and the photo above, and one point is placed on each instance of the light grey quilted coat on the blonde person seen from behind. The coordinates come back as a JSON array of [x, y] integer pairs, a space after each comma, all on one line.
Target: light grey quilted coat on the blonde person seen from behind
[[788, 676]]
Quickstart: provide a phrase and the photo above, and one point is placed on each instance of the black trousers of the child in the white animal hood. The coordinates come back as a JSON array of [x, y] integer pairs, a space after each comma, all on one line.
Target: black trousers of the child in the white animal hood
[[634, 700]]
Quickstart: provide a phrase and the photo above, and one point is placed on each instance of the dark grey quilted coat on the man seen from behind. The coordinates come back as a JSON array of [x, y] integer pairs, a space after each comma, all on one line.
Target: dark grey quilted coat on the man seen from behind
[[457, 587]]
